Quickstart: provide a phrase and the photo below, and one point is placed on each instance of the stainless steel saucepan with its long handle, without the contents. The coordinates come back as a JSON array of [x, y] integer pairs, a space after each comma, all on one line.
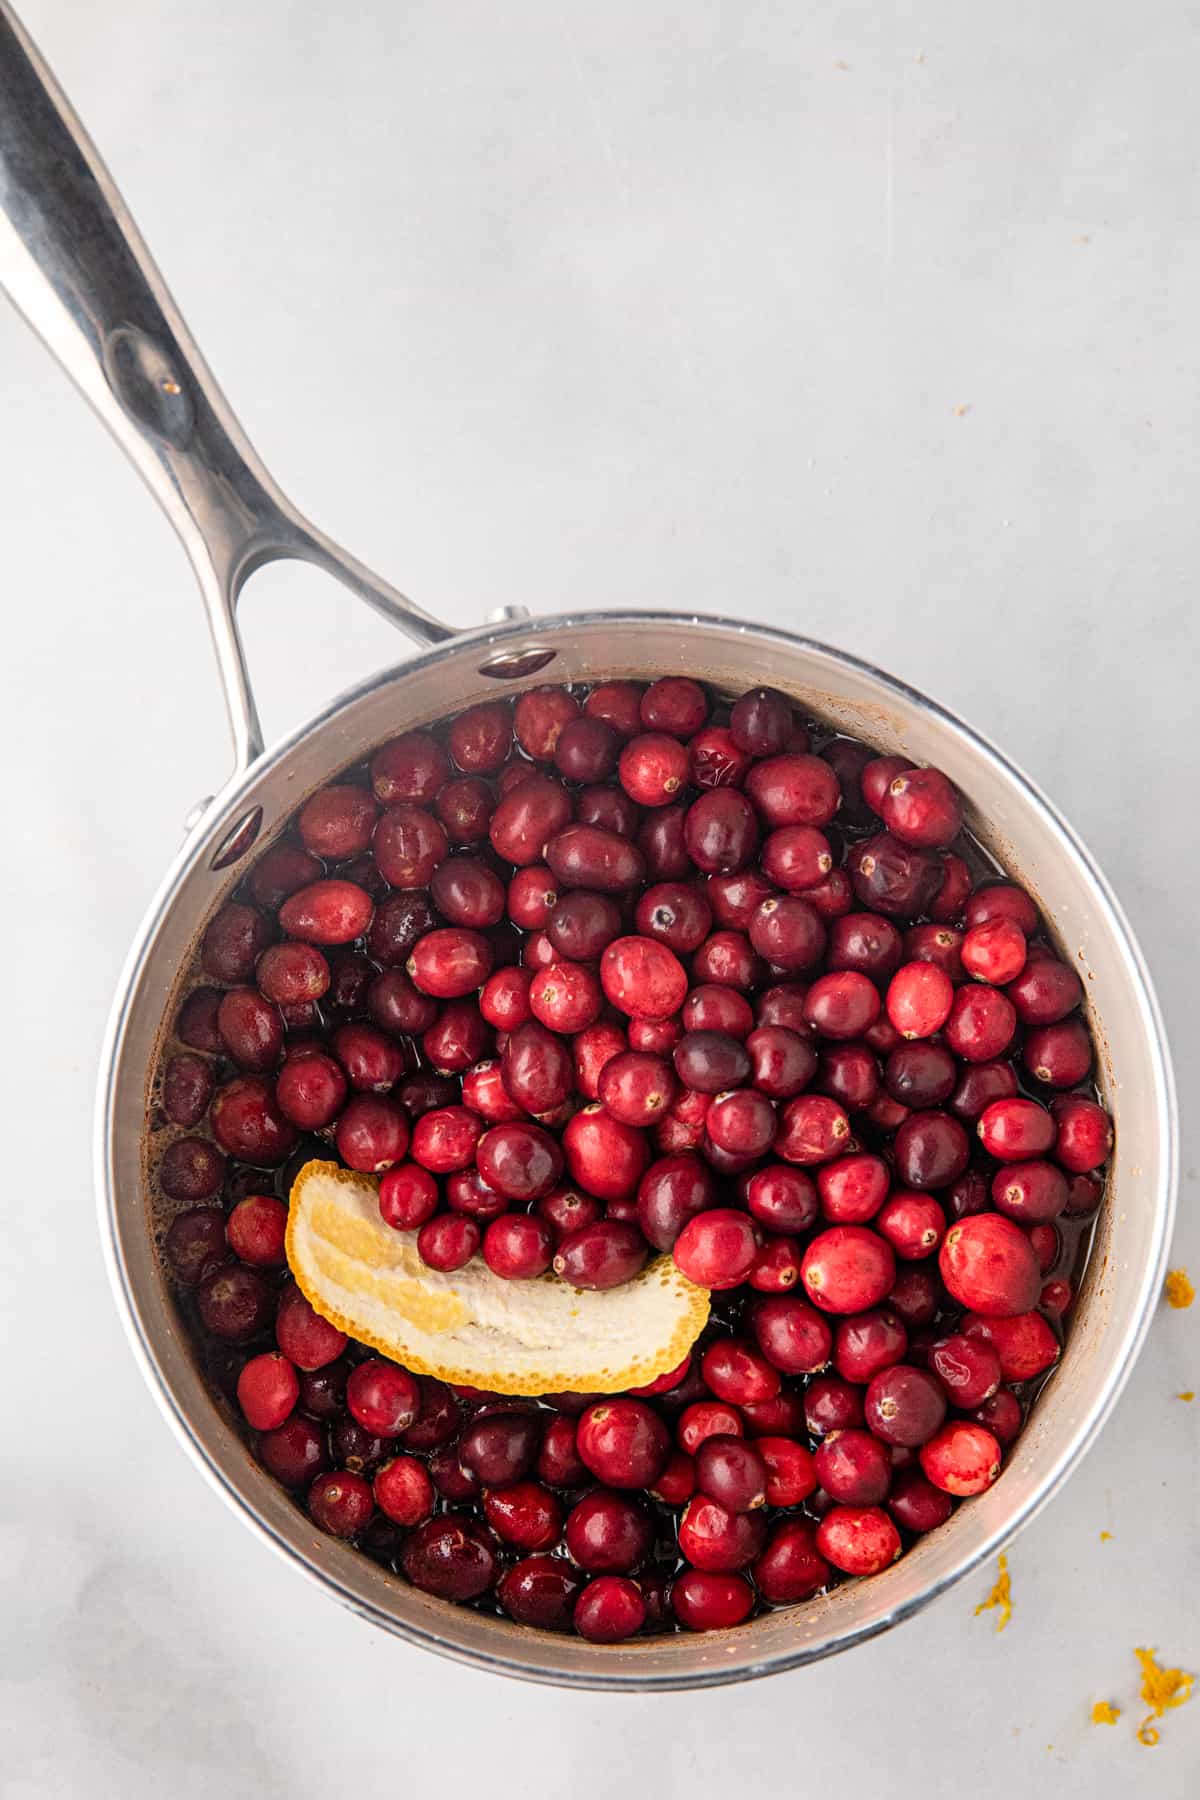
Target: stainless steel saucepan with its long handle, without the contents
[[78, 271]]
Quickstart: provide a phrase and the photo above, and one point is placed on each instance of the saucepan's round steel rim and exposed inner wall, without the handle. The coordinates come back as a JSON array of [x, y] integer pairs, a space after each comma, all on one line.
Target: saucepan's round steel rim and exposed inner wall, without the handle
[[1010, 820]]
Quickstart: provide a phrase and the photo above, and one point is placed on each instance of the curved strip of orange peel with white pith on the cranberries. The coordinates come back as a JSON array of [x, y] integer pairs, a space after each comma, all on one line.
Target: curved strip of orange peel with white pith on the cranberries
[[472, 1327]]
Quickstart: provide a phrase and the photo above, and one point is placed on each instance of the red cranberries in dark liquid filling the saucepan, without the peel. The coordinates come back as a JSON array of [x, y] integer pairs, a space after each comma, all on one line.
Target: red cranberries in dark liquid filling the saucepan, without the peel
[[618, 973]]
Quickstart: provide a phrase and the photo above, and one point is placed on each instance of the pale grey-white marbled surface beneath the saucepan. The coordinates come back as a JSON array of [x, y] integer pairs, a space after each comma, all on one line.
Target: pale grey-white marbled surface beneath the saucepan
[[879, 321]]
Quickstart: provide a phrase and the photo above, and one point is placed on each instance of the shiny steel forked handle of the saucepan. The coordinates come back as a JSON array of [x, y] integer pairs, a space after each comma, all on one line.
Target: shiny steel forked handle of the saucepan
[[76, 267]]
